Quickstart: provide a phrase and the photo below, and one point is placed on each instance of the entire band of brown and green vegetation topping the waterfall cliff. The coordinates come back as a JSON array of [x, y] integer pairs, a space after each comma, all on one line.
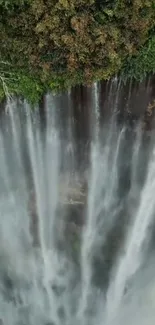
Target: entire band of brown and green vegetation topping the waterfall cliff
[[54, 44]]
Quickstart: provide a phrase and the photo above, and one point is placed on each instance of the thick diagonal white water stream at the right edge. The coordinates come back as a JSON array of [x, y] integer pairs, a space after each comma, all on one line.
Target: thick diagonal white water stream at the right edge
[[133, 255]]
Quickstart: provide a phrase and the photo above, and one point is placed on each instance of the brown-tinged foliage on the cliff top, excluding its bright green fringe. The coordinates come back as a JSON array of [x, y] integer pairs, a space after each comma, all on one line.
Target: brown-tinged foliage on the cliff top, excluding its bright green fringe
[[67, 35]]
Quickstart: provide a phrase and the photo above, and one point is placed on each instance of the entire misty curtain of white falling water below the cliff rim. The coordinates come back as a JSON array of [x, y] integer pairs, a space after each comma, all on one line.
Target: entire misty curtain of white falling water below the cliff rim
[[49, 272]]
